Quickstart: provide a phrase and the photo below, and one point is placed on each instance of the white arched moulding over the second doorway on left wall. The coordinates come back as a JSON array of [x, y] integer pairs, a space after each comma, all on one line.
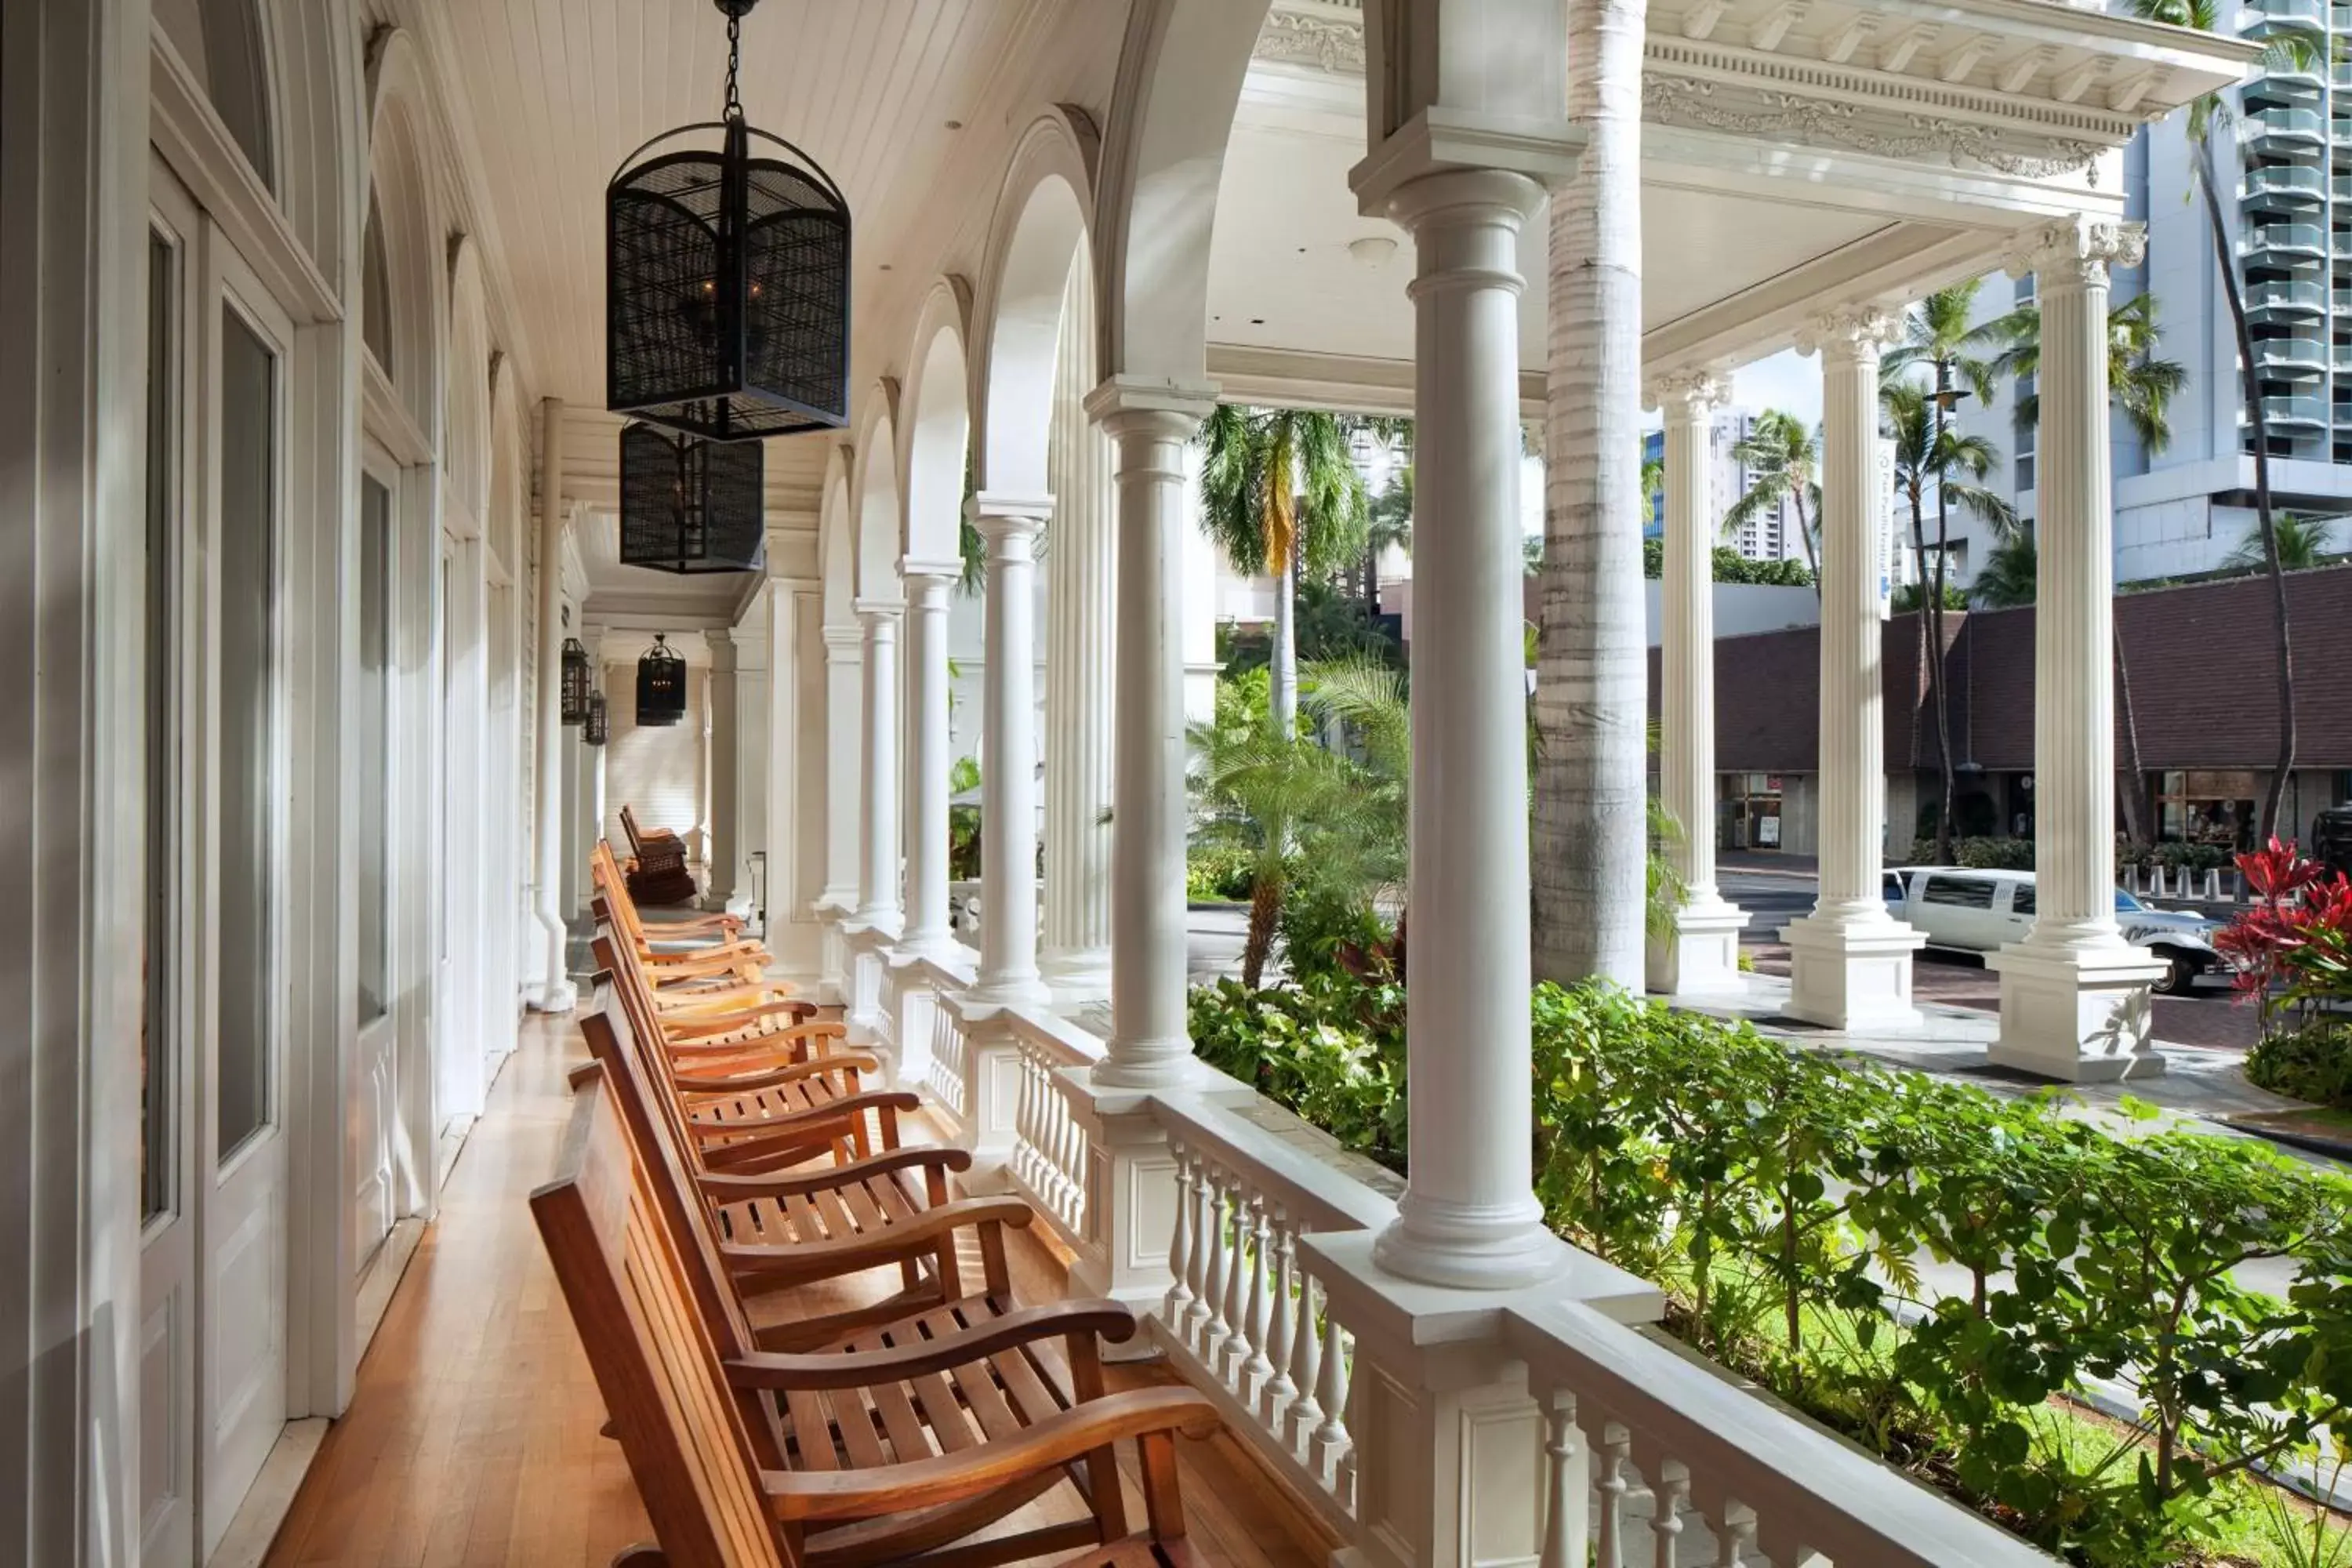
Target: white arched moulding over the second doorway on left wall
[[401, 177]]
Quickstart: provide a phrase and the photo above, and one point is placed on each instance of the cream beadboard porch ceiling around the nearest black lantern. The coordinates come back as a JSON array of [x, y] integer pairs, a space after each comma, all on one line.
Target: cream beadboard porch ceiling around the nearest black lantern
[[559, 93]]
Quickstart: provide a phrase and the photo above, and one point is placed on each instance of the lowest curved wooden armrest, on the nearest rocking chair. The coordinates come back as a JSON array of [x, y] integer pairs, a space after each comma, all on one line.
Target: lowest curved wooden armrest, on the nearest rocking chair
[[951, 1477]]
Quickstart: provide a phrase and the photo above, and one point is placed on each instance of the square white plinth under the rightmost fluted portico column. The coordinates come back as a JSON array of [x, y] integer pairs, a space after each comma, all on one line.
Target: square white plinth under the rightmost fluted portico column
[[2078, 1014]]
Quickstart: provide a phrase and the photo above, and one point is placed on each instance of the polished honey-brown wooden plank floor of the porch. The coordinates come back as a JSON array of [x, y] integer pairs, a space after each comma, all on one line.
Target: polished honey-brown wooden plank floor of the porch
[[474, 1430]]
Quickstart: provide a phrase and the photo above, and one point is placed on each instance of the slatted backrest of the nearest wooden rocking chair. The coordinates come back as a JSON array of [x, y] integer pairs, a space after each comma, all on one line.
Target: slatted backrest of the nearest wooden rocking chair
[[655, 1362]]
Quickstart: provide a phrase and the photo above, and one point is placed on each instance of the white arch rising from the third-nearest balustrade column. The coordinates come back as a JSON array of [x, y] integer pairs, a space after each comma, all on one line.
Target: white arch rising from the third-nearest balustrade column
[[1041, 222]]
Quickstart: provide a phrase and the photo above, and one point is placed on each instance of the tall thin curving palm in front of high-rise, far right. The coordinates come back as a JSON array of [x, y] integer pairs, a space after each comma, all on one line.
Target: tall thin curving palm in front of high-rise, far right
[[2280, 53]]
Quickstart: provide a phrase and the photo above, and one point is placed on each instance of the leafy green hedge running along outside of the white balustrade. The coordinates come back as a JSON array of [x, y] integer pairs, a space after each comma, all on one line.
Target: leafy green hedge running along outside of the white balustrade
[[1789, 1200]]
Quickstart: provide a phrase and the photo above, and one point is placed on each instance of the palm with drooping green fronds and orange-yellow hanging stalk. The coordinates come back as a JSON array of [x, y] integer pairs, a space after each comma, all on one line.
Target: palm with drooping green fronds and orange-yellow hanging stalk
[[1281, 492]]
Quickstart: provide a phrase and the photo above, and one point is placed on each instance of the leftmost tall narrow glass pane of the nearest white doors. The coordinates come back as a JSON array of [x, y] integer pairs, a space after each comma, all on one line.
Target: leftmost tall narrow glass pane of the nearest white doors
[[159, 1108]]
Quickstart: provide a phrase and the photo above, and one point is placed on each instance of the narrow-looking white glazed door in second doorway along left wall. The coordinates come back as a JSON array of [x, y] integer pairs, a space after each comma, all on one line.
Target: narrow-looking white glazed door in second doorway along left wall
[[375, 1101]]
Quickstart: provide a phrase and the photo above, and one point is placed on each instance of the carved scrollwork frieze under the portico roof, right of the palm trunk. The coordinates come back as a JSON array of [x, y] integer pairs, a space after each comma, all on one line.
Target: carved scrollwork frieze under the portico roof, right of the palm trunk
[[1789, 116]]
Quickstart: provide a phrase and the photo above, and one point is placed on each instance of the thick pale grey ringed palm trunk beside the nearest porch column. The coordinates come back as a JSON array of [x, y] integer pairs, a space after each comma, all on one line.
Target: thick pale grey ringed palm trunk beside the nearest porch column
[[1591, 836]]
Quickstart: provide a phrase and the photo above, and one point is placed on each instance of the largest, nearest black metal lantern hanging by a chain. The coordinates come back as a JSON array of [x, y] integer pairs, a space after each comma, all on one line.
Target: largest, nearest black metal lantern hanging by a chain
[[728, 283]]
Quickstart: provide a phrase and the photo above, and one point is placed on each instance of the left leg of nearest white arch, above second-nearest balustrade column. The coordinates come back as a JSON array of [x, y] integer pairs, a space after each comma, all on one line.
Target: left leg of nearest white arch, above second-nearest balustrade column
[[1172, 116]]
